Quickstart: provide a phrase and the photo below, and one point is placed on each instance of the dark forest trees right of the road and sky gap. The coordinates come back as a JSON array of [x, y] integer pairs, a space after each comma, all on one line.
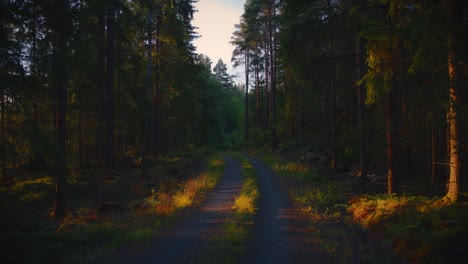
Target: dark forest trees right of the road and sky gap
[[357, 79]]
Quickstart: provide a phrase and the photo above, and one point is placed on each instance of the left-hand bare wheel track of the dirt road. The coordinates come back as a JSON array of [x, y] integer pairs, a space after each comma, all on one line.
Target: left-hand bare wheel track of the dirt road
[[181, 242]]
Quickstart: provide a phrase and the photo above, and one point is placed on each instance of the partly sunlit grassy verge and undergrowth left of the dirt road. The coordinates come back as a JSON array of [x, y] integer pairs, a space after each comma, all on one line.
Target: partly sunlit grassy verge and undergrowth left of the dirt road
[[138, 203]]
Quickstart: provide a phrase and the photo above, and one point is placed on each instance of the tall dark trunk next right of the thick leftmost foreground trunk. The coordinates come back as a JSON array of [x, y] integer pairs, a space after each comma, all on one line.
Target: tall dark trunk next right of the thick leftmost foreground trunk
[[110, 86]]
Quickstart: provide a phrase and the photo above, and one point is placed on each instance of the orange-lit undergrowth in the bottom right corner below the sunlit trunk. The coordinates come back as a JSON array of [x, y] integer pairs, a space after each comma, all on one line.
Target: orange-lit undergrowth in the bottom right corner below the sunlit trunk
[[420, 229]]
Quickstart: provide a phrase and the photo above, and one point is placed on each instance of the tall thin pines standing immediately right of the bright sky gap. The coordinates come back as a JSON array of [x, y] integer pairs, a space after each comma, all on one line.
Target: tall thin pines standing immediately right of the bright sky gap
[[255, 41]]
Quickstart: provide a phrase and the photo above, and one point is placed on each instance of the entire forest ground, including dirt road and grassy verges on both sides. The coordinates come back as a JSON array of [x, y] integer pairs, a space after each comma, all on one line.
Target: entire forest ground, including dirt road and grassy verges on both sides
[[268, 209]]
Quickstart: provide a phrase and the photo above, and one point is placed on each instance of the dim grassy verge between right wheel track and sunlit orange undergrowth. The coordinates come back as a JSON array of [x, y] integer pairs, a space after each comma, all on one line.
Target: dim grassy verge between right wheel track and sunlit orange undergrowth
[[323, 202]]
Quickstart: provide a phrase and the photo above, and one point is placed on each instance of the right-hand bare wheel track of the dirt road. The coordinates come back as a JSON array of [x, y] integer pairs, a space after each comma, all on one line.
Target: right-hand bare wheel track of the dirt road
[[280, 234]]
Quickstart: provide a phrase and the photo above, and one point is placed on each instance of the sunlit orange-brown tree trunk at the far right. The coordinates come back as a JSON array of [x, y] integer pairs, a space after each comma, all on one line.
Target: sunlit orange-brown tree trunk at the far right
[[455, 18]]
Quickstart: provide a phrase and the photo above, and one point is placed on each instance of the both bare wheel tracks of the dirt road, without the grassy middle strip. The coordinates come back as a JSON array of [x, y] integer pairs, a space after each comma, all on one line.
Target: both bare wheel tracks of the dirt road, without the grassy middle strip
[[279, 234]]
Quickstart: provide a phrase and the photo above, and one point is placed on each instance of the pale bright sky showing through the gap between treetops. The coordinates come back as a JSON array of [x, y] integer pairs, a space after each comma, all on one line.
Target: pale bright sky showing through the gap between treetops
[[215, 20]]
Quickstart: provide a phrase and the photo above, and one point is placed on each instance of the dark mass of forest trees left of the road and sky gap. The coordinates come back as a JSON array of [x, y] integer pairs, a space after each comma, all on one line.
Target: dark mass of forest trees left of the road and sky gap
[[96, 82]]
